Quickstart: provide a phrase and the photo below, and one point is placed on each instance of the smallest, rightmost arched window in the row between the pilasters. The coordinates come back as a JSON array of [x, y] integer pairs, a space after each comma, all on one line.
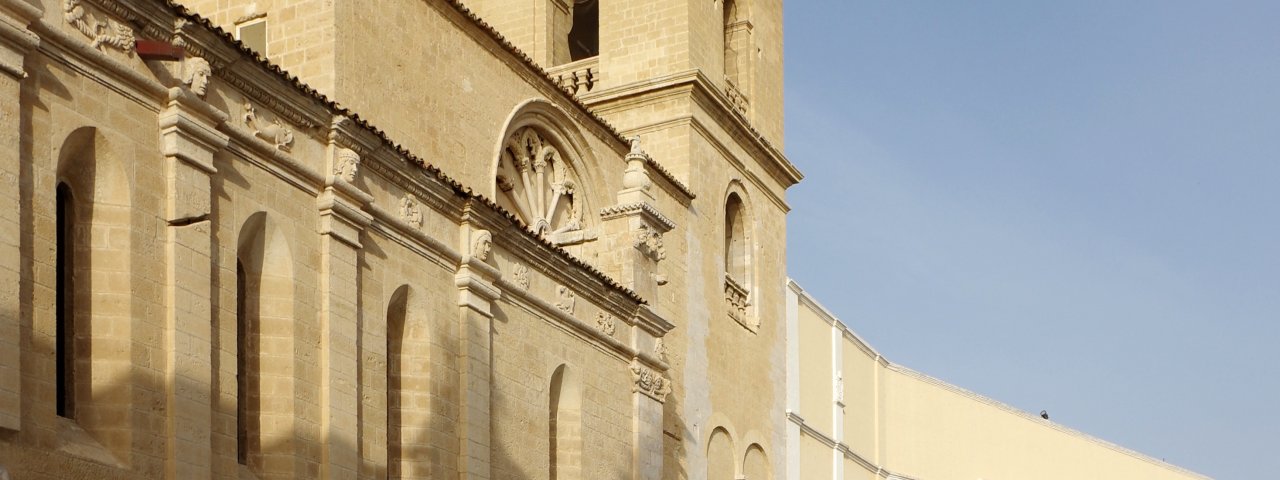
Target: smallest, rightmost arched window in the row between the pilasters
[[565, 426]]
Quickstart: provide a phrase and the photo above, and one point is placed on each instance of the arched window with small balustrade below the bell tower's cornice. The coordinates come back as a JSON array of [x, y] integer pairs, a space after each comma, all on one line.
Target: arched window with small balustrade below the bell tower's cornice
[[738, 257]]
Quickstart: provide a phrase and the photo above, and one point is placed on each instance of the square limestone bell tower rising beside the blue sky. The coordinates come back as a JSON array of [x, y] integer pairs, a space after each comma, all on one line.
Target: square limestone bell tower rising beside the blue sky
[[701, 84]]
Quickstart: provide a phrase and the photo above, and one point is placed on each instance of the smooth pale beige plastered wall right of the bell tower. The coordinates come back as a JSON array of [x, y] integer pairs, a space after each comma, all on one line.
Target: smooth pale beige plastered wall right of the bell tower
[[886, 420]]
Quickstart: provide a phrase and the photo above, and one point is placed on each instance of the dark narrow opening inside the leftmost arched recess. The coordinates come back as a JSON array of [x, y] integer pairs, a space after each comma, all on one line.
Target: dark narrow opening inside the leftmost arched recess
[[66, 313]]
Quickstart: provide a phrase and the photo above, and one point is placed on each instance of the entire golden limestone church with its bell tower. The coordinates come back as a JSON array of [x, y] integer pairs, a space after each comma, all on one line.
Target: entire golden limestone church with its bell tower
[[412, 239]]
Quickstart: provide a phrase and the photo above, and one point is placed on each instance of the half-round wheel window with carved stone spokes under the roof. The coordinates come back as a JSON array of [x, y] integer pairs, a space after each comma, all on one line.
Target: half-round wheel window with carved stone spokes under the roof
[[538, 184]]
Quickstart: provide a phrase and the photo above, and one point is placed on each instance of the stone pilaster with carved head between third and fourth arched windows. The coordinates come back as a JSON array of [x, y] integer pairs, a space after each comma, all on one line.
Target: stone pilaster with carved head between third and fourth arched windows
[[477, 292]]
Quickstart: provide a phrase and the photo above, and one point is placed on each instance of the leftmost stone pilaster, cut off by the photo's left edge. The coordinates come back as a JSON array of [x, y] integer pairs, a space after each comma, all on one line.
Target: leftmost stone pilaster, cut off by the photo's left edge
[[16, 42]]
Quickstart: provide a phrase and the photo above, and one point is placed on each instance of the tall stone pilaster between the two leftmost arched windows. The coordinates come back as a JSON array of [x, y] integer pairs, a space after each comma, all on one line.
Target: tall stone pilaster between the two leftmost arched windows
[[190, 138]]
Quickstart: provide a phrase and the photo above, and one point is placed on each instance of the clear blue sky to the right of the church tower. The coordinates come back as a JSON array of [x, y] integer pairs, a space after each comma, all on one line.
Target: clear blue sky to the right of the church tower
[[1063, 205]]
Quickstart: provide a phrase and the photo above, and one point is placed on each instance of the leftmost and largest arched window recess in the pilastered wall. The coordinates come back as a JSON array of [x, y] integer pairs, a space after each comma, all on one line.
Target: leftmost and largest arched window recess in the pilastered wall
[[94, 284]]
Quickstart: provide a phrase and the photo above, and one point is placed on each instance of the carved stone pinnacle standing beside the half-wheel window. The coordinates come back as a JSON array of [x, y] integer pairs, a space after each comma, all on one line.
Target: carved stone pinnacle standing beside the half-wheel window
[[636, 228]]
